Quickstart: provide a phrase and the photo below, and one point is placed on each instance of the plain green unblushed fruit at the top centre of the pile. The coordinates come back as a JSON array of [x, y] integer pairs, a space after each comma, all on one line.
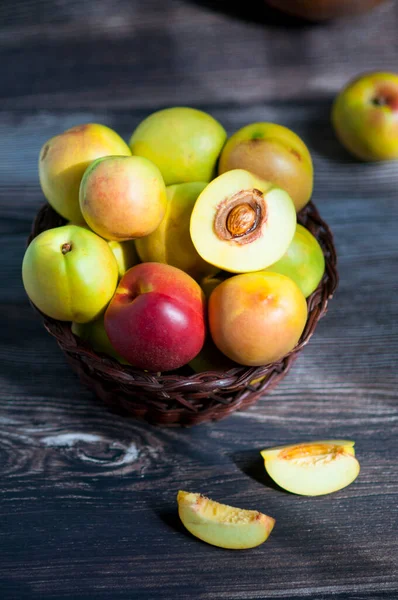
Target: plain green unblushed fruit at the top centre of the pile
[[183, 142]]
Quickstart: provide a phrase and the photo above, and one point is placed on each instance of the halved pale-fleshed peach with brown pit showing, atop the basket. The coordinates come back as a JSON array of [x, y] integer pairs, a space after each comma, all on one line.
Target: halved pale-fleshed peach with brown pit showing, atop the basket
[[241, 223]]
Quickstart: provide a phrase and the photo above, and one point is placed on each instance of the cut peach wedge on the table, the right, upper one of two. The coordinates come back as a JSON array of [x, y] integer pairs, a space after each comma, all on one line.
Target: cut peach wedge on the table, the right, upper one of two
[[312, 468]]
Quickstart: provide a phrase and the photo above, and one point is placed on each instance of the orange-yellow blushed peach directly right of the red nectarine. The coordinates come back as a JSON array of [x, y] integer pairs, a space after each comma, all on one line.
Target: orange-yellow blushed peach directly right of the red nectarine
[[257, 318]]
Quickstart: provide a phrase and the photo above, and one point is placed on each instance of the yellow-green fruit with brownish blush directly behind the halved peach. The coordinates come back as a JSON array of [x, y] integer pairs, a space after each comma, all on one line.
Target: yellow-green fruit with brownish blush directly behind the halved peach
[[274, 153]]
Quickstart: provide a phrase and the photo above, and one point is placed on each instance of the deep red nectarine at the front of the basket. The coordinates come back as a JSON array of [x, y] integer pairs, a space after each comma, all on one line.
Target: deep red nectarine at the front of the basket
[[156, 319]]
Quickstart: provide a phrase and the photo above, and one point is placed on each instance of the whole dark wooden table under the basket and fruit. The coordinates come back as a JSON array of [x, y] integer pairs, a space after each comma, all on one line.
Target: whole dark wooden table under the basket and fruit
[[88, 504]]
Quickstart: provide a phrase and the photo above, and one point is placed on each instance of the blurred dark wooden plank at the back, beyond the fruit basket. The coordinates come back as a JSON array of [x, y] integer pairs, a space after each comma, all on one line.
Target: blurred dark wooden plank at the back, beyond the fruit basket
[[140, 54]]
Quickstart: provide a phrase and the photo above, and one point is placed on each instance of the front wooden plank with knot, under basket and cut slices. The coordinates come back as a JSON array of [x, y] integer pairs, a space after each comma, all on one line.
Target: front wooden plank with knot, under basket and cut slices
[[70, 465]]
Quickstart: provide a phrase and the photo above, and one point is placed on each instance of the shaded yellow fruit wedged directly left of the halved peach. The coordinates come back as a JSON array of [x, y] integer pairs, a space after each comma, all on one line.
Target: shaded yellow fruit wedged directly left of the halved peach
[[171, 242]]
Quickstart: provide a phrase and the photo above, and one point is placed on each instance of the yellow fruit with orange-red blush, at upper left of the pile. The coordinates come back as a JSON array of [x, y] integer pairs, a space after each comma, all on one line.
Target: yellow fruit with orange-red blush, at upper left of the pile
[[64, 158]]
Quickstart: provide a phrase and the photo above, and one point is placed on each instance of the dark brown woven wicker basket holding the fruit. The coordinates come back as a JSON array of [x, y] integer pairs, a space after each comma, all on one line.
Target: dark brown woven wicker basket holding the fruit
[[183, 398]]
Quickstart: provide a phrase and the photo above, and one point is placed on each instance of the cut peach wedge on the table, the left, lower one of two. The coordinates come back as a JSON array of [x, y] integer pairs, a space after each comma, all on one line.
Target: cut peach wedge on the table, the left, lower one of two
[[222, 525]]
